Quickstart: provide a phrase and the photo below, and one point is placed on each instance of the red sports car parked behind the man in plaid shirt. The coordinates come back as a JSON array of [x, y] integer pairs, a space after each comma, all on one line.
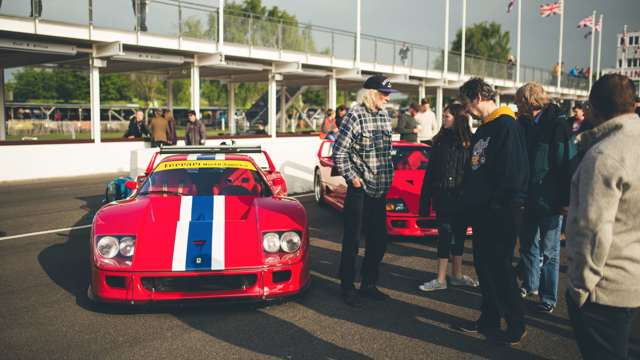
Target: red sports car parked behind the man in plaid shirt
[[410, 161]]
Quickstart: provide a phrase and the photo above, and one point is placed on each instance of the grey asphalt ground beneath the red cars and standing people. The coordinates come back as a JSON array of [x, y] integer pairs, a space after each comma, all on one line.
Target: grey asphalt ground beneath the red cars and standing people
[[44, 312]]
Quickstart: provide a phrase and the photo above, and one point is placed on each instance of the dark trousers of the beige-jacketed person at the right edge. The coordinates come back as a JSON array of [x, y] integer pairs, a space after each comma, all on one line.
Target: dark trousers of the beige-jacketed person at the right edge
[[602, 332]]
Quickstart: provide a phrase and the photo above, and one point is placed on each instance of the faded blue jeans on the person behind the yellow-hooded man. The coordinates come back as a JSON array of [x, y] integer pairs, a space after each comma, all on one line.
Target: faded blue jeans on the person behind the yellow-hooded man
[[540, 254]]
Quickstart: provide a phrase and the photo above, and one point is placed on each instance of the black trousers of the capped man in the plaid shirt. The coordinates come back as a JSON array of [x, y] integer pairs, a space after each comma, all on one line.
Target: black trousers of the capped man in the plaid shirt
[[362, 211]]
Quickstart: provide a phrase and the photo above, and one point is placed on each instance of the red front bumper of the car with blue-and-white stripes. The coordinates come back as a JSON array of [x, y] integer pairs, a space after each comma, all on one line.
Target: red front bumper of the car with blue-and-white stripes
[[246, 284]]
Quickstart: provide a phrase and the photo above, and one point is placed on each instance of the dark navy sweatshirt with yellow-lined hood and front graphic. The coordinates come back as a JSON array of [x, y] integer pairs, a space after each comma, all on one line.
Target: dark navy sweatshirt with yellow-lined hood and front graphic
[[498, 173]]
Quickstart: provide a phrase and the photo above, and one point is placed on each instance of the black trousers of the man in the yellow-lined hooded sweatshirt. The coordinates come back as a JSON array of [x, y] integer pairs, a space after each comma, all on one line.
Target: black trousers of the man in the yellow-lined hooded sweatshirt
[[494, 238]]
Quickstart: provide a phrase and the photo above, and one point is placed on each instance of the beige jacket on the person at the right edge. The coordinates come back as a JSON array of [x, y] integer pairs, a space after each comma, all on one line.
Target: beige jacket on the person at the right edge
[[603, 231]]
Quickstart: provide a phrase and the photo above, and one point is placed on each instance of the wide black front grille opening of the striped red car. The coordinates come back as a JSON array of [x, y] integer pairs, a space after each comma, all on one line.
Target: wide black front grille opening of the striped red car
[[204, 283]]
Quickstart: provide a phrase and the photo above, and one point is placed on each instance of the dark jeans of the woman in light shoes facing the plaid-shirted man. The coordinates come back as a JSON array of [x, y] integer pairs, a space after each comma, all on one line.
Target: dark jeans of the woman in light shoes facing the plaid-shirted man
[[452, 230]]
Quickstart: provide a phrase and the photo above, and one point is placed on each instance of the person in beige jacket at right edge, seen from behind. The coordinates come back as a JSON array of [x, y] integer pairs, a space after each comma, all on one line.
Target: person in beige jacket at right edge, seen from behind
[[603, 231]]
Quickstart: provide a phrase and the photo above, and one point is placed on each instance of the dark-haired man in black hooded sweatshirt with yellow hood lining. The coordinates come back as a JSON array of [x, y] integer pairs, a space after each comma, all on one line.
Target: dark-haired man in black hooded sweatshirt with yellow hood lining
[[495, 190]]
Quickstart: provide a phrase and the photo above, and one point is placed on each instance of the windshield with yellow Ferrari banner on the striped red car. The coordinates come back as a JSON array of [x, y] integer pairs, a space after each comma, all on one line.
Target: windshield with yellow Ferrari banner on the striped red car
[[206, 177]]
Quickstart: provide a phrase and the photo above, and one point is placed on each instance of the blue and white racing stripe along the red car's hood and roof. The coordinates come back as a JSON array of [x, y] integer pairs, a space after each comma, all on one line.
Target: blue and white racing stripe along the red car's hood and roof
[[200, 231]]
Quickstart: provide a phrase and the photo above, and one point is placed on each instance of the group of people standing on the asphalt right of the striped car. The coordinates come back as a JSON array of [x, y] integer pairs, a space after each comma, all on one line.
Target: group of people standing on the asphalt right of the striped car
[[512, 181]]
